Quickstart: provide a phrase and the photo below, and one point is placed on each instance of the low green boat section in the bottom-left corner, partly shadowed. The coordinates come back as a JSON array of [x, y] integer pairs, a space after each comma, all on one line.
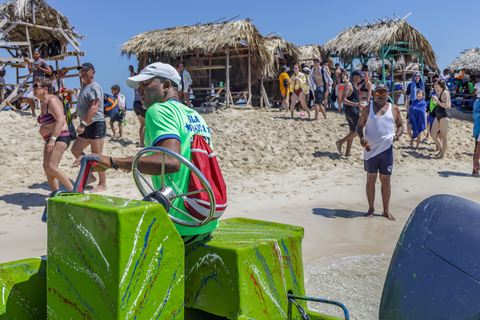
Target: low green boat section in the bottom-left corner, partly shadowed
[[23, 289]]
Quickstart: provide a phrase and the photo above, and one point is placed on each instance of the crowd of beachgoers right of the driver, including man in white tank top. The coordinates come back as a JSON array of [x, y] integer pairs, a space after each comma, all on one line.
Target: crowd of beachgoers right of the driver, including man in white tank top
[[428, 103]]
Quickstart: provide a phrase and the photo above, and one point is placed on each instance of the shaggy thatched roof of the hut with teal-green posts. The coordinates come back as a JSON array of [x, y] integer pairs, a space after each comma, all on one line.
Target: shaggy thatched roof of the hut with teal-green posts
[[367, 41]]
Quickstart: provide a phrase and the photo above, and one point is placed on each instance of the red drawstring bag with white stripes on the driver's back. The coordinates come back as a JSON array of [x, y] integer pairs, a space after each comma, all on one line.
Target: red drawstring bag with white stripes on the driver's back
[[203, 157]]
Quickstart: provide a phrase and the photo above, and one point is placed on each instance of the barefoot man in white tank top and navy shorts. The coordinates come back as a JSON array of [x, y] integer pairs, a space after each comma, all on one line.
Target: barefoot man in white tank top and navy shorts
[[381, 118]]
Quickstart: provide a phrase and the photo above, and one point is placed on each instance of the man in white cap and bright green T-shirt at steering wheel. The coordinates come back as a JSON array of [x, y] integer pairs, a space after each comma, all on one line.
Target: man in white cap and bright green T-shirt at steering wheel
[[168, 124]]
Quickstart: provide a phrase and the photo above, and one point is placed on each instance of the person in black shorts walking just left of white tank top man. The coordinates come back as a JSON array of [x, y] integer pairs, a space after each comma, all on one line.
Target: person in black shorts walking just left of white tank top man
[[351, 101]]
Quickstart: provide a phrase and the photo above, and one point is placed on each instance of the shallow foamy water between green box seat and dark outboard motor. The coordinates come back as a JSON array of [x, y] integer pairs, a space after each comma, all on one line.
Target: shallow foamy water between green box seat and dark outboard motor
[[355, 281]]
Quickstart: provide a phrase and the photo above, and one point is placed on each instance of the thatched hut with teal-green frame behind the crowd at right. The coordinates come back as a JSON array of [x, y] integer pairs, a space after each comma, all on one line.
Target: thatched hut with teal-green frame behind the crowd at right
[[386, 40]]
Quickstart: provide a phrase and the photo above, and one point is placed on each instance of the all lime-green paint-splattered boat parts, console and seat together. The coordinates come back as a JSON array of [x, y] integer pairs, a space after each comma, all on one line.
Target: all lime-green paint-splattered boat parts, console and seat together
[[112, 258]]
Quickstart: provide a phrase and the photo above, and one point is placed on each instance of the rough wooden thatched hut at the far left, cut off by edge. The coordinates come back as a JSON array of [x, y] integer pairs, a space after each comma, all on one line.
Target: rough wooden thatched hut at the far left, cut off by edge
[[29, 24]]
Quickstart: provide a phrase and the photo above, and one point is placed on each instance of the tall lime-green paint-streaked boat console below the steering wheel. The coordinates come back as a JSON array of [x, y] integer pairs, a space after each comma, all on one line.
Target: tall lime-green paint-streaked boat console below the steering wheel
[[112, 258]]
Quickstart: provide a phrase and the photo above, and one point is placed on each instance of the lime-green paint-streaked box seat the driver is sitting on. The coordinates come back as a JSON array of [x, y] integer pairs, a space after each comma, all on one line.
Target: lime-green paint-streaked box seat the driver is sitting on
[[246, 270]]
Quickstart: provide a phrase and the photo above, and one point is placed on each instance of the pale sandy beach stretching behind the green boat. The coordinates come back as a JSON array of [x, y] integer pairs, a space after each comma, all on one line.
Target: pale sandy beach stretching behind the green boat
[[277, 169]]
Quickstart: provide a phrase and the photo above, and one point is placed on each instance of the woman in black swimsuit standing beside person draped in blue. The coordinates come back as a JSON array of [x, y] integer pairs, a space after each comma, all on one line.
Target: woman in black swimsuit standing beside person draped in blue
[[442, 117]]
